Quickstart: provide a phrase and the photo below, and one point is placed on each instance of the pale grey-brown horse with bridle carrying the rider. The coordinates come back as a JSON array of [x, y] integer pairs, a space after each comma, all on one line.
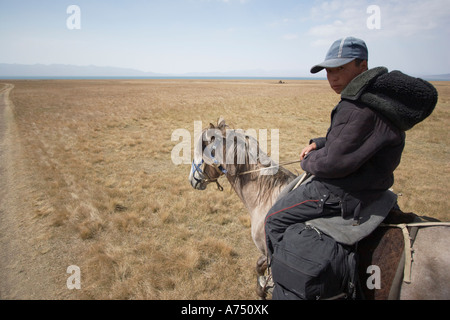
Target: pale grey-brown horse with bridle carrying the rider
[[258, 181]]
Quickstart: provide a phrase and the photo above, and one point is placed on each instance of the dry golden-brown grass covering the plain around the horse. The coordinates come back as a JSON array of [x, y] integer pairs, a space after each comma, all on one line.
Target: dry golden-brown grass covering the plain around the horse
[[98, 155]]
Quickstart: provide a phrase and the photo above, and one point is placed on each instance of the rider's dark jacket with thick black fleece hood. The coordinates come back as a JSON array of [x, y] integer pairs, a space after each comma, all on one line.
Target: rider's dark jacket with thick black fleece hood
[[366, 138]]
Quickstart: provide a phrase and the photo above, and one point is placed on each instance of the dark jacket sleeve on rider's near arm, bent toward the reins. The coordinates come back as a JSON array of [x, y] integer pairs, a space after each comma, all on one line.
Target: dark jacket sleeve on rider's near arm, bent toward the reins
[[355, 135]]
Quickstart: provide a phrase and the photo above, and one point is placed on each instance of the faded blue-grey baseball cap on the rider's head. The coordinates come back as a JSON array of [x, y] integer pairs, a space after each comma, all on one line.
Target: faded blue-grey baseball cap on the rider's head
[[343, 51]]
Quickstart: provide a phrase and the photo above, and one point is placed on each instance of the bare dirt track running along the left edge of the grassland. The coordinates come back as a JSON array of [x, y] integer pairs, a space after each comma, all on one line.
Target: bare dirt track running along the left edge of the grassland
[[29, 267]]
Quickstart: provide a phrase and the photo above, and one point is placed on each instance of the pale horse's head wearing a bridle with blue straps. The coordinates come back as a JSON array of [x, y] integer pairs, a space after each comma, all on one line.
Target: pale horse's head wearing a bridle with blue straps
[[208, 164]]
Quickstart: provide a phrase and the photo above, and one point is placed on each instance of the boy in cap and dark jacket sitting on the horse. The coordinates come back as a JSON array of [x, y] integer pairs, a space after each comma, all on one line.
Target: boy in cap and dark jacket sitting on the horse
[[352, 167]]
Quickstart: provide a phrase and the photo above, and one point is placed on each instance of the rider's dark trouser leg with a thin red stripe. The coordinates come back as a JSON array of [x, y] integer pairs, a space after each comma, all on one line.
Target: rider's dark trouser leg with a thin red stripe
[[309, 201]]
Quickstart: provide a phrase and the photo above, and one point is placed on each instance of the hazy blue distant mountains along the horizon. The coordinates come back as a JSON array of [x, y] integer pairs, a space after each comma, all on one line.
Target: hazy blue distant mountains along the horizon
[[62, 70]]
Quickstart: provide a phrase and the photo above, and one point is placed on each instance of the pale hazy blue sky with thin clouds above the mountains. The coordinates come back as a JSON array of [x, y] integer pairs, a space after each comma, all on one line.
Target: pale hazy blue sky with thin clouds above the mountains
[[285, 37]]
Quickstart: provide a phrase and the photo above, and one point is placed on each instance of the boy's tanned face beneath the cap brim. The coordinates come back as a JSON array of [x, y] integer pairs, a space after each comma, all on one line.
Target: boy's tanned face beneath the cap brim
[[340, 77]]
